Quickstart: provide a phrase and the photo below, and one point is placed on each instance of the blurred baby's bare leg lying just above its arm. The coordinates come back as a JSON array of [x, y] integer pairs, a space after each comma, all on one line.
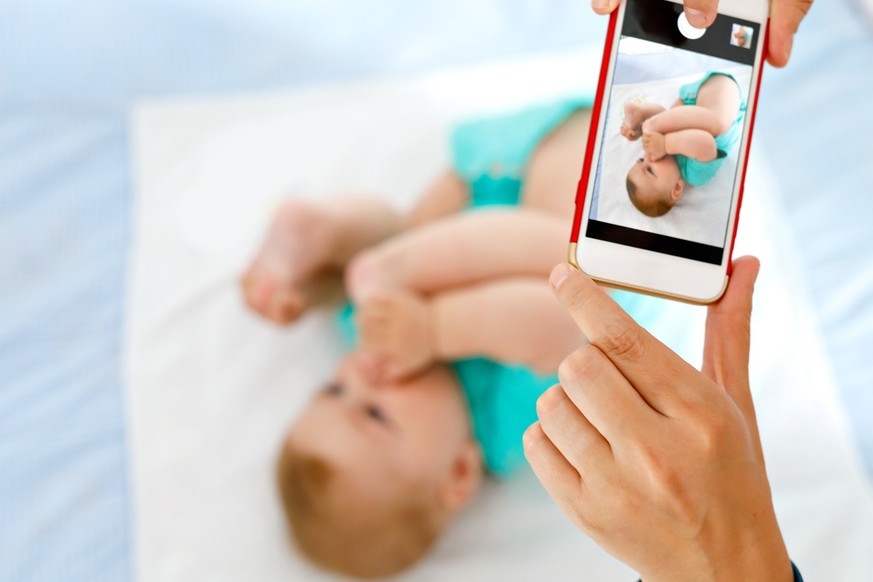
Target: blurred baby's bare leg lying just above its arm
[[461, 250]]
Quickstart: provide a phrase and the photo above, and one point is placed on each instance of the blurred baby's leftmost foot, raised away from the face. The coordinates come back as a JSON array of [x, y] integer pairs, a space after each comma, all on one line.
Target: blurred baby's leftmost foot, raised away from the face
[[289, 272]]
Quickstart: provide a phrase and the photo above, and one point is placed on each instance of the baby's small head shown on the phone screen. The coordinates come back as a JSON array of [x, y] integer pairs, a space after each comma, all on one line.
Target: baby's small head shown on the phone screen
[[654, 187]]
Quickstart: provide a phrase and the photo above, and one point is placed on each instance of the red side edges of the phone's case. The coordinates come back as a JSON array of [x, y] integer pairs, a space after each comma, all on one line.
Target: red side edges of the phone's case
[[582, 188]]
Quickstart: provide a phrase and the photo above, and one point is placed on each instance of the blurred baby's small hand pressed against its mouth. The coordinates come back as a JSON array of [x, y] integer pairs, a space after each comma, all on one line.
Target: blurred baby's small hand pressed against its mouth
[[396, 329]]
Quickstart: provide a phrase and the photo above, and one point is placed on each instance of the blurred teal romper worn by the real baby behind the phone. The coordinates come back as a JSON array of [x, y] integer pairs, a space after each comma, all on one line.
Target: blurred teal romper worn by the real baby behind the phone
[[491, 155]]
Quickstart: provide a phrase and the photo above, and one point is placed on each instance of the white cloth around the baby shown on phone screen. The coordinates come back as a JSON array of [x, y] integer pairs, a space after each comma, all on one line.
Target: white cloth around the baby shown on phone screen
[[702, 212]]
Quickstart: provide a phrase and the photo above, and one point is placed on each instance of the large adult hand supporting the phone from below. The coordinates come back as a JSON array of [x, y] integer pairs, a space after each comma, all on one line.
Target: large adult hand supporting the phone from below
[[660, 464]]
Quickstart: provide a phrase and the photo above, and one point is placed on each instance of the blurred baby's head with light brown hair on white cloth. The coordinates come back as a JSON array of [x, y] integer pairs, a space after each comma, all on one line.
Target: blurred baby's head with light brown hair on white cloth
[[370, 474]]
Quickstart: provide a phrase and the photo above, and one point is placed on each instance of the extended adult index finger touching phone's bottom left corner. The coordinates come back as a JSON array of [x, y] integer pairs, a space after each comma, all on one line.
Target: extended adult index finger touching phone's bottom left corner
[[652, 368]]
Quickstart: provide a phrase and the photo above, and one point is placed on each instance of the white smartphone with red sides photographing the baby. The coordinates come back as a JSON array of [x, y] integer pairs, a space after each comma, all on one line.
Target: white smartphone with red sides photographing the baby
[[662, 180]]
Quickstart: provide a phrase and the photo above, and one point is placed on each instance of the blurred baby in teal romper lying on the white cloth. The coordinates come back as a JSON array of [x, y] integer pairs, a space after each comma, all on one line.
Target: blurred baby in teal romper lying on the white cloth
[[458, 336]]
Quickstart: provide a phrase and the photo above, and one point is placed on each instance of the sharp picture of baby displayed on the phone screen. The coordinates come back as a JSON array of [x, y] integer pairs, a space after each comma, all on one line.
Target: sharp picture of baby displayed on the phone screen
[[670, 142]]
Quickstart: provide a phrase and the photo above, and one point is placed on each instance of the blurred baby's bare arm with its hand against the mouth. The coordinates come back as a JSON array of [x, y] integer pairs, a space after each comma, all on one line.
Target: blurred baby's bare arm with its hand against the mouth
[[513, 320]]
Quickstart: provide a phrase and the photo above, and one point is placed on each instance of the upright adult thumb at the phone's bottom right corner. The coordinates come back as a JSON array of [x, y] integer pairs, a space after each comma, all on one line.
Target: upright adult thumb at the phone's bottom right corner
[[728, 327]]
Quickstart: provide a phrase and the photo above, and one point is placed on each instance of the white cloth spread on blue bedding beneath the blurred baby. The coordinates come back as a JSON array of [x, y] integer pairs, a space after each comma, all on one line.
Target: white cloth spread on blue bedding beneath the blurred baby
[[212, 388]]
